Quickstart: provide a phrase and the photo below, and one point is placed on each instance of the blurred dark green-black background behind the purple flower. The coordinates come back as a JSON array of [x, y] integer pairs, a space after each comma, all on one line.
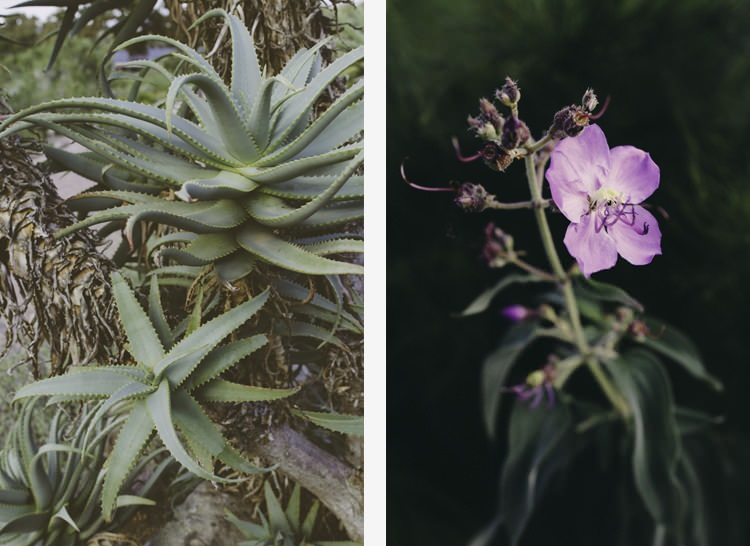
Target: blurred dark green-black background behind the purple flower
[[678, 73]]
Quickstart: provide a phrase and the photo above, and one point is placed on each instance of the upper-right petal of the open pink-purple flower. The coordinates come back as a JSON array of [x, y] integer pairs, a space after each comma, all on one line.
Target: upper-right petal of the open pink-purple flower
[[632, 173]]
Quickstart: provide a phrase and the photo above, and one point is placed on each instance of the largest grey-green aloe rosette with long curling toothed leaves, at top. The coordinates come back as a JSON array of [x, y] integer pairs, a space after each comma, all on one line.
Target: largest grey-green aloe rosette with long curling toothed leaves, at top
[[242, 169]]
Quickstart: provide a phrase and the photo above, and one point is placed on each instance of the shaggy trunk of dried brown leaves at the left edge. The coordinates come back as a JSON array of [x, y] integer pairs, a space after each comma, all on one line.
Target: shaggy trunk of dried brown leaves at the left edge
[[54, 291]]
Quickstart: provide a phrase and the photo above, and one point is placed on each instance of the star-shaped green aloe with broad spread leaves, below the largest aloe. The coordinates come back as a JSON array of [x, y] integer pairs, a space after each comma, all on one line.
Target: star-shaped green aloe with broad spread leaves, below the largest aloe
[[164, 390]]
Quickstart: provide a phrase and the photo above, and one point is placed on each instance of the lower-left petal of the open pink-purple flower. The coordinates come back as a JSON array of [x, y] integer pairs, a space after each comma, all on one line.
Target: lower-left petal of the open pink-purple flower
[[593, 251]]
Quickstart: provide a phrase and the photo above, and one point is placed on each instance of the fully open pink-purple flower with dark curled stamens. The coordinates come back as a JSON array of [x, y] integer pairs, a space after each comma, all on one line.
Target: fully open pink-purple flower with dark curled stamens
[[599, 190]]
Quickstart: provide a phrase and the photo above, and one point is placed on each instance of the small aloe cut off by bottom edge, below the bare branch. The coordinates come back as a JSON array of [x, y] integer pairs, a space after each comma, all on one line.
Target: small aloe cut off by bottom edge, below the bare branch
[[283, 526]]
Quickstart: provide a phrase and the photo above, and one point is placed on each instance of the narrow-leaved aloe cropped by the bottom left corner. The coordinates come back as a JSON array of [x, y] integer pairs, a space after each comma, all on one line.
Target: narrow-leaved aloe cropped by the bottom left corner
[[49, 493]]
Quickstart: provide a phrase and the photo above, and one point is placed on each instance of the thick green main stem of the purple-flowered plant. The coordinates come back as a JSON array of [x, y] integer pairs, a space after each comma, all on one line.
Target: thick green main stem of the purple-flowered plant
[[571, 305]]
